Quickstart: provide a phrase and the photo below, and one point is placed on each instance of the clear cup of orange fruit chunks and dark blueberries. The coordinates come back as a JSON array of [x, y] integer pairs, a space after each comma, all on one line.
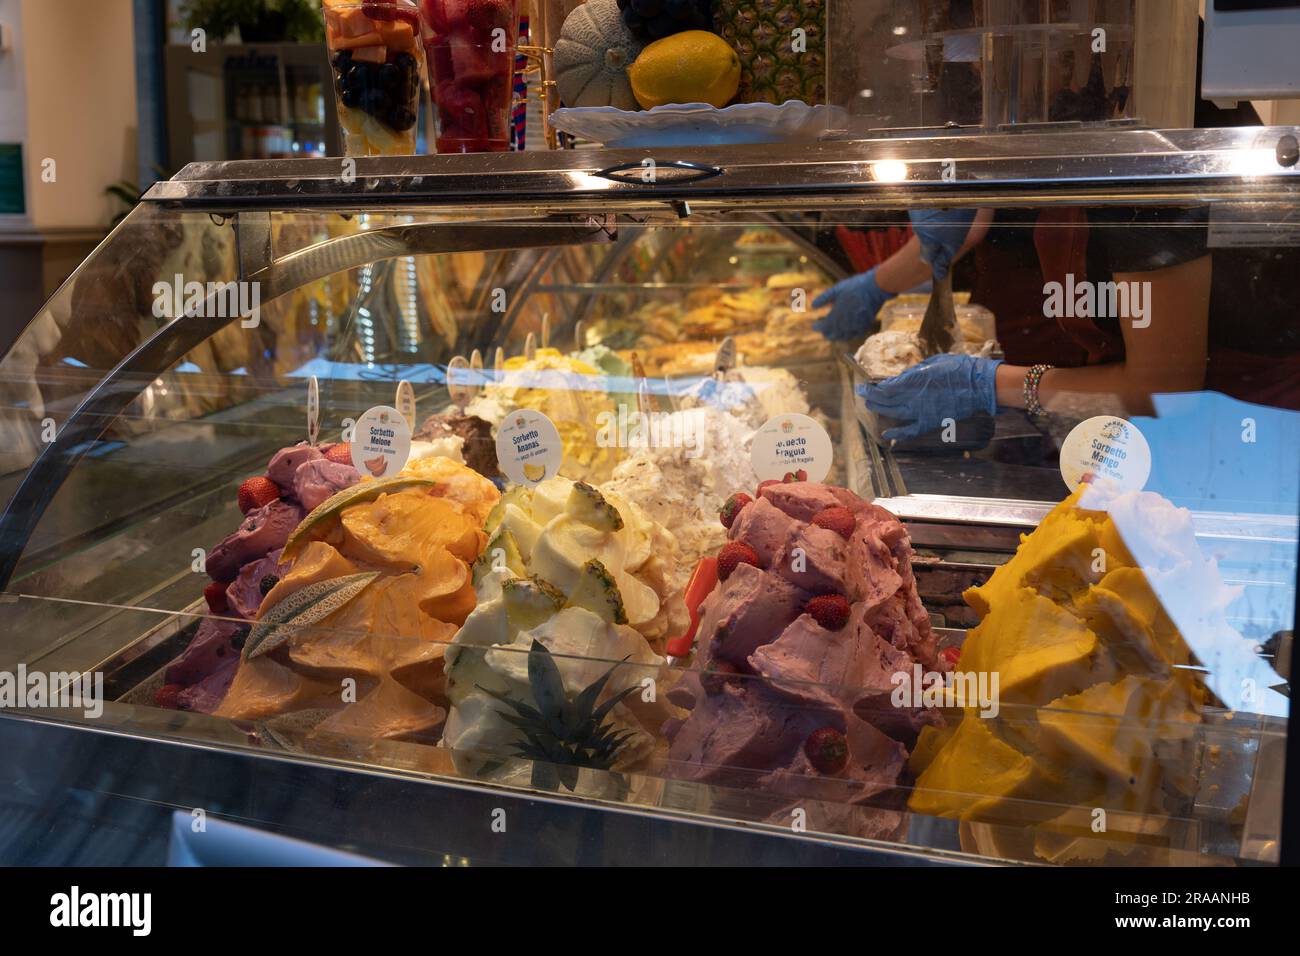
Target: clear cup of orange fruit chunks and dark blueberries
[[379, 70]]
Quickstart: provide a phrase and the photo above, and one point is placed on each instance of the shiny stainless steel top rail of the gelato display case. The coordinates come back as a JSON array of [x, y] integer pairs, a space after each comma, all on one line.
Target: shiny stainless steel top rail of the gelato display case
[[1090, 166]]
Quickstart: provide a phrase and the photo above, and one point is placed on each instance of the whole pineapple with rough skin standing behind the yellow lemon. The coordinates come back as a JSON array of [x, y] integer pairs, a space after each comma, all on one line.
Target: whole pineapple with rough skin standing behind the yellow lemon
[[762, 33]]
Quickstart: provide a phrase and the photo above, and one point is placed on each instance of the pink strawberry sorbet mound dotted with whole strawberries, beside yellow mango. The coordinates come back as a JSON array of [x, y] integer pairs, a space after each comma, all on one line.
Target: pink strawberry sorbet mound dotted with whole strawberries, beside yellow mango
[[791, 706]]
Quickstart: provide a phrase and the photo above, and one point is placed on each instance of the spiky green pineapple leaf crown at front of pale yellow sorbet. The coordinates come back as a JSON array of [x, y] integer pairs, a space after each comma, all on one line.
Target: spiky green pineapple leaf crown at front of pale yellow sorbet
[[562, 736]]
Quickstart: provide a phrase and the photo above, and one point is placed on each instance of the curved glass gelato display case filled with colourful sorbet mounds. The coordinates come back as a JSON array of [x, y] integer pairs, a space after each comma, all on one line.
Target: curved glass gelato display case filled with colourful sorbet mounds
[[514, 509]]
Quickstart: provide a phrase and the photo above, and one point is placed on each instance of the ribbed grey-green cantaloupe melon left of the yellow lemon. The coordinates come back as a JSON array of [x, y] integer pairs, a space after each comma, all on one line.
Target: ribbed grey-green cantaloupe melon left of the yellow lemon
[[593, 55]]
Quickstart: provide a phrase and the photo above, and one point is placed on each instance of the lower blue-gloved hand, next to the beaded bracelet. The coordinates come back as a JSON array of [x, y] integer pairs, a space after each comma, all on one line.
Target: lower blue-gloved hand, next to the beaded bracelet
[[943, 387]]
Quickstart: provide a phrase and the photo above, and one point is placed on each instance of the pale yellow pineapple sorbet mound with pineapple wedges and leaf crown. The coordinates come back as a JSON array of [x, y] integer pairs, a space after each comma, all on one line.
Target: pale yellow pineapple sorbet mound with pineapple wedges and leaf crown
[[549, 535]]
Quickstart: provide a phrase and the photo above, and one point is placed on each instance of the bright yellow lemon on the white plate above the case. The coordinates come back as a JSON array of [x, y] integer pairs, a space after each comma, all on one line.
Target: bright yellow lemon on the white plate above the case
[[692, 67]]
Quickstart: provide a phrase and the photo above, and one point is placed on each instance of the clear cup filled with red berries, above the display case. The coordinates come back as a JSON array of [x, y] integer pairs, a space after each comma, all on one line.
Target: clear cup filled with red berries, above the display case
[[470, 46]]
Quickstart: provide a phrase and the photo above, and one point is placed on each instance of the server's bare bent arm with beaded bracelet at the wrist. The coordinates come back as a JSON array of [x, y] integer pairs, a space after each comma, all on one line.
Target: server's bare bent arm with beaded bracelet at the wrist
[[1167, 357]]
